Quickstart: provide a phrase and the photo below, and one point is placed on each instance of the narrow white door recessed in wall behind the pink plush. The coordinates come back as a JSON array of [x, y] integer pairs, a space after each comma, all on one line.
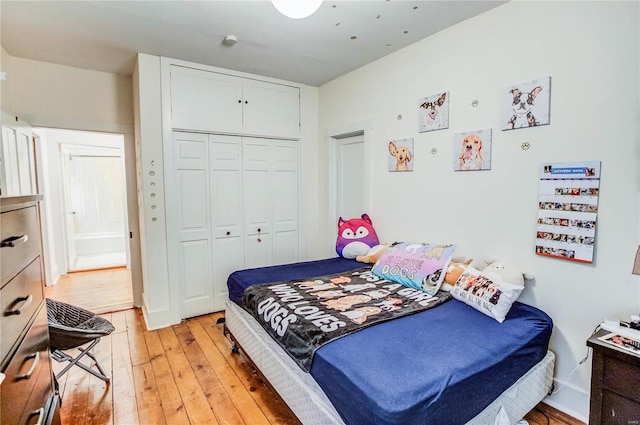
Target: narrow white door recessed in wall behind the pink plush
[[350, 177]]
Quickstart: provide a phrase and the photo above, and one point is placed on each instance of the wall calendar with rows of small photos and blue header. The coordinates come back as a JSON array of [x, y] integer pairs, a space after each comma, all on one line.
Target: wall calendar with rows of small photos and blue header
[[567, 210]]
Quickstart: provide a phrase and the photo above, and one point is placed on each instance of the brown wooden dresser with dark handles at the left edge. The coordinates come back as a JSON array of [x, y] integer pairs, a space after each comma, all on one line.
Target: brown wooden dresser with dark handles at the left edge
[[28, 392]]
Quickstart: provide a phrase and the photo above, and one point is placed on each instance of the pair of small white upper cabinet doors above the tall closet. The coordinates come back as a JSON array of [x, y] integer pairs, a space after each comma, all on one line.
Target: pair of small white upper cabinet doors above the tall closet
[[215, 102]]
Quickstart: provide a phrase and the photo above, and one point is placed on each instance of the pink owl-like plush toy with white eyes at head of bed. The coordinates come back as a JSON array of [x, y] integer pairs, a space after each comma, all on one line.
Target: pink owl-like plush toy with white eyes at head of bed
[[355, 237]]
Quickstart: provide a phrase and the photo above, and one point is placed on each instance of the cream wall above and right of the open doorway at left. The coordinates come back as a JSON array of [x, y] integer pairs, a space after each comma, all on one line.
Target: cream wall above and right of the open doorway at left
[[49, 95]]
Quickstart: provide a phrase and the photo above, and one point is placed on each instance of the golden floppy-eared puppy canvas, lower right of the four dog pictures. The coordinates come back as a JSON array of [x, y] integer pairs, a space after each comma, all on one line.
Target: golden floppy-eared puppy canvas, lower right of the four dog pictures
[[472, 150]]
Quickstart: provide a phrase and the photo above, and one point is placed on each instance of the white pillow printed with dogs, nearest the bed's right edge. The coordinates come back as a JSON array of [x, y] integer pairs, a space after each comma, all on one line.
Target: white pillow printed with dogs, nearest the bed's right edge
[[486, 292]]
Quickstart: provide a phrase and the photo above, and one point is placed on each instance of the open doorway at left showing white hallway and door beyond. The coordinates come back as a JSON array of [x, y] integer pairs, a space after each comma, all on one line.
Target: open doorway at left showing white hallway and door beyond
[[84, 214]]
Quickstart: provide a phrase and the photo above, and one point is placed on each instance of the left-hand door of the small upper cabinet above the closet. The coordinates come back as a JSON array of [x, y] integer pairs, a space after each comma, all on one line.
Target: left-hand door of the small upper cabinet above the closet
[[203, 100]]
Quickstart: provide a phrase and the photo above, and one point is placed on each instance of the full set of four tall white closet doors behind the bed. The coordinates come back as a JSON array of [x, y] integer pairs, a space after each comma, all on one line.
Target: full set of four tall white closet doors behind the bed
[[236, 206]]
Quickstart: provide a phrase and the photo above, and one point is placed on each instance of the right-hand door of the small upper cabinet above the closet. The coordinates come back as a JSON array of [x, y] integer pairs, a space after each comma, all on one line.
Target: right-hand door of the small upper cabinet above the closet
[[270, 109]]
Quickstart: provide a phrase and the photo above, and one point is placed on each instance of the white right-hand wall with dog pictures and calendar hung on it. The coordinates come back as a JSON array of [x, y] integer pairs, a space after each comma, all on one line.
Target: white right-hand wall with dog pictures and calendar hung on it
[[590, 49]]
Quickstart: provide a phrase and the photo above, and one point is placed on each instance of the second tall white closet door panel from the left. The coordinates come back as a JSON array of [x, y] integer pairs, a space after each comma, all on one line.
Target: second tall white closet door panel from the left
[[226, 206]]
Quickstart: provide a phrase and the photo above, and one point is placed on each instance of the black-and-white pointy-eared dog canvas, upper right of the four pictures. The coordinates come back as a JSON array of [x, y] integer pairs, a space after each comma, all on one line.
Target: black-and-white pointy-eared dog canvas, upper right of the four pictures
[[526, 104]]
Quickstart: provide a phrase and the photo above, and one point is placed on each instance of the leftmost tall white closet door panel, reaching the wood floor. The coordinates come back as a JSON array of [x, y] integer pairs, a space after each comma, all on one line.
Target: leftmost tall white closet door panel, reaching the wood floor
[[193, 221]]
